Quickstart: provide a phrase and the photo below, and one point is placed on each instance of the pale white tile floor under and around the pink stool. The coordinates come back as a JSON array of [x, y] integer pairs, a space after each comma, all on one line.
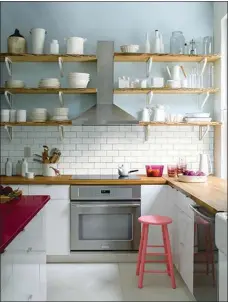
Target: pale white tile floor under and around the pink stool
[[109, 282]]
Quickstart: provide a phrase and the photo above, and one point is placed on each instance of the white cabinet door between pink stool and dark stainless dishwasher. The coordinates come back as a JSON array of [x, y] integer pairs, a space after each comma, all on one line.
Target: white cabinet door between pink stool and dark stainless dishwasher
[[186, 248]]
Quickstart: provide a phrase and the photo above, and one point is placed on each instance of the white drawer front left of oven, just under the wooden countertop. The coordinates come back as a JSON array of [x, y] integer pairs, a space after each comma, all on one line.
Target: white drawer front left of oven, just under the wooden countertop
[[55, 192]]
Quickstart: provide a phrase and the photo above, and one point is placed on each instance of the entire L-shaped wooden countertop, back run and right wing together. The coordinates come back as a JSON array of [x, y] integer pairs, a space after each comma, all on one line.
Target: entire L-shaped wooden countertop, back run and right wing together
[[212, 195]]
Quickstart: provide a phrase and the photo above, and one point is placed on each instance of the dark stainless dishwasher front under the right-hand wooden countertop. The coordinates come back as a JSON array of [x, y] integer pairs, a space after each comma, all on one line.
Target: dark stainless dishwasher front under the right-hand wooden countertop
[[205, 256]]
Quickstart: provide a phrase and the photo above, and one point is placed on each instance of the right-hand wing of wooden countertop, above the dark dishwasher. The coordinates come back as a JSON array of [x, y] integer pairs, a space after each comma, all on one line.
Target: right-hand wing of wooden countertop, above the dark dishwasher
[[212, 194]]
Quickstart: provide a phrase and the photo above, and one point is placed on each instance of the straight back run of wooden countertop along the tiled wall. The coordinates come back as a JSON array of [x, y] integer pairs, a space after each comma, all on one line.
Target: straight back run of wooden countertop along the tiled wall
[[67, 180]]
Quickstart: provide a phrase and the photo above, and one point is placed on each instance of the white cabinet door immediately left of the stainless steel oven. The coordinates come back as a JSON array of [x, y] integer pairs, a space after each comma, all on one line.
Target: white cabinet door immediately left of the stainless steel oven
[[58, 227]]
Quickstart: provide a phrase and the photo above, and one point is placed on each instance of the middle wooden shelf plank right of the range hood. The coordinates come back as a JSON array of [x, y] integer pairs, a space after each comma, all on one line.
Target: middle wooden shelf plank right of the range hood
[[164, 90]]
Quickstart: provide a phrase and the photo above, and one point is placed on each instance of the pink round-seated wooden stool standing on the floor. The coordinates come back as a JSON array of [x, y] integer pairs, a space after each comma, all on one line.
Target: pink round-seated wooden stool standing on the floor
[[163, 221]]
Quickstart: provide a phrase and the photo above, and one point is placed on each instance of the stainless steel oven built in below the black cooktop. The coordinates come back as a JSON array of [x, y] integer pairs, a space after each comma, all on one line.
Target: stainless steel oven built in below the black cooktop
[[105, 218]]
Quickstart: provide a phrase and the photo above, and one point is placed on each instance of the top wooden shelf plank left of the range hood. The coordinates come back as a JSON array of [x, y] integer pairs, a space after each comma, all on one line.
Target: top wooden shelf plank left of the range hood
[[47, 58]]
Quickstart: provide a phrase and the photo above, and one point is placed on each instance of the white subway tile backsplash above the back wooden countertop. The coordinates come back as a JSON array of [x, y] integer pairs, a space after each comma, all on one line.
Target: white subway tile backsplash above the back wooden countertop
[[100, 149]]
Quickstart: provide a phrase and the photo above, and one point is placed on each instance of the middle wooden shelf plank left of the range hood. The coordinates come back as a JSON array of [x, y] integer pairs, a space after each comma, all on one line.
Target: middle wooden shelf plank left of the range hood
[[49, 90]]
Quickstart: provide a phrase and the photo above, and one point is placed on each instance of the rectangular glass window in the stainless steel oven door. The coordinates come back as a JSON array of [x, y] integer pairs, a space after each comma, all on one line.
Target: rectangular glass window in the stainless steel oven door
[[105, 227]]
